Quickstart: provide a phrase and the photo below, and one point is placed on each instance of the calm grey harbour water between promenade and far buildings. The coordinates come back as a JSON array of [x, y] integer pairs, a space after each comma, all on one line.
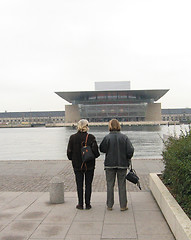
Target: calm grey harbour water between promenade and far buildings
[[51, 143]]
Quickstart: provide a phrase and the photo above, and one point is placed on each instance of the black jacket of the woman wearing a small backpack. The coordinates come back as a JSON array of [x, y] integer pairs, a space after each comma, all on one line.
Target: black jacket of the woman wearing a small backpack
[[74, 149]]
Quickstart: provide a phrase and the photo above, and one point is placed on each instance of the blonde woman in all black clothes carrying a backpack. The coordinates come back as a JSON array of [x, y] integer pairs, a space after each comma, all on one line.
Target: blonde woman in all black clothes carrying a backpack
[[75, 144]]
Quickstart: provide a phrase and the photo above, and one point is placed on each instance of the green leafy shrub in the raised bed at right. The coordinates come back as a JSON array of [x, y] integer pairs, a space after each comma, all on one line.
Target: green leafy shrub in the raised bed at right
[[177, 171]]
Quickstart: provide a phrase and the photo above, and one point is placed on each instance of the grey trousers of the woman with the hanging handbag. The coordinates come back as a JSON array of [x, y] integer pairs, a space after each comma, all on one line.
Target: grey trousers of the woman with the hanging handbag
[[110, 178]]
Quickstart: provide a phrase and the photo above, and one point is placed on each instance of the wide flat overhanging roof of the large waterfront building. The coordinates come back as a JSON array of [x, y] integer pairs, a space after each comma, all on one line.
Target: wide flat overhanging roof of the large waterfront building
[[85, 96]]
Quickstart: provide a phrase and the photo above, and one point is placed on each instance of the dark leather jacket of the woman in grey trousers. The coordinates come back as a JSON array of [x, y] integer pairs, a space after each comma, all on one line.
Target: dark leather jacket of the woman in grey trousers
[[118, 150]]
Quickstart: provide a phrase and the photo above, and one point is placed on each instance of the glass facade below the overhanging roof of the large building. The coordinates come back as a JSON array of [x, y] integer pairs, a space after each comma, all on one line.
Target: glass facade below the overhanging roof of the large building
[[105, 112]]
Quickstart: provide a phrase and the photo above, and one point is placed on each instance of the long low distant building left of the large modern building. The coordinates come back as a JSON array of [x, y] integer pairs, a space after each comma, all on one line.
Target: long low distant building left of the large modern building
[[16, 118]]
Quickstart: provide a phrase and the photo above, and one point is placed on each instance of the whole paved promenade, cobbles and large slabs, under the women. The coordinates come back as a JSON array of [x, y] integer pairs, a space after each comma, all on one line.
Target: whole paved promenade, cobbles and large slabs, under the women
[[26, 212]]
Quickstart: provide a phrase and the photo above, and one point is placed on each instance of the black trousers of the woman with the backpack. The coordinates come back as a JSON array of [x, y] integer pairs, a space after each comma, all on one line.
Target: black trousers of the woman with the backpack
[[88, 175]]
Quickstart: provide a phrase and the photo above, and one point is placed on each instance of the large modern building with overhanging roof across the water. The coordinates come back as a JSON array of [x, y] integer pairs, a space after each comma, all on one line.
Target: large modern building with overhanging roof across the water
[[113, 100]]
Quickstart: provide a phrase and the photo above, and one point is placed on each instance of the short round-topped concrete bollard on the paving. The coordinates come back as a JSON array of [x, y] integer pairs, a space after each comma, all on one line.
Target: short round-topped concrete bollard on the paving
[[56, 190]]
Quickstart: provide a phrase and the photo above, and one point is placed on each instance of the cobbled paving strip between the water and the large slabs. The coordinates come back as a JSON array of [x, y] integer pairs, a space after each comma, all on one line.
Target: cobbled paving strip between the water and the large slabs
[[34, 176]]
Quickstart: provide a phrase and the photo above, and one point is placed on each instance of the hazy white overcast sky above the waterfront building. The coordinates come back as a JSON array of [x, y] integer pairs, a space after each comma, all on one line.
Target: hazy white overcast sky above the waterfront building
[[67, 45]]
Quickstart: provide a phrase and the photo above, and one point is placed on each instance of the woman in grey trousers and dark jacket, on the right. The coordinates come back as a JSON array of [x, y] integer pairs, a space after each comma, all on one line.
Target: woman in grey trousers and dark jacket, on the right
[[118, 151]]
